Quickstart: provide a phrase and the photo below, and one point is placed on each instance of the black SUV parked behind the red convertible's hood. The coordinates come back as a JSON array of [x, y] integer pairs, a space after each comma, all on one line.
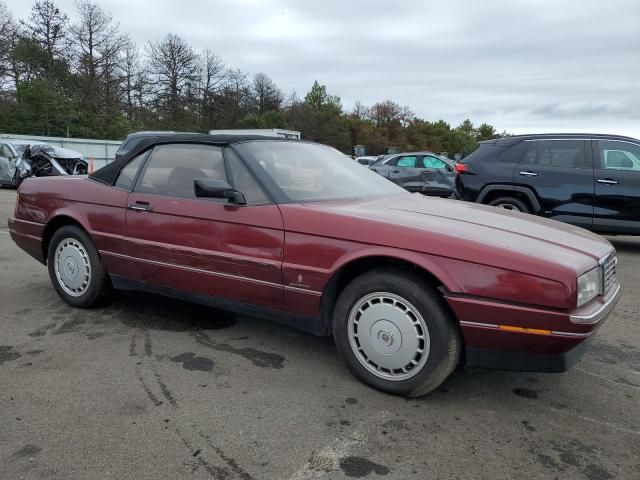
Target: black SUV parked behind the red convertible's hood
[[592, 181]]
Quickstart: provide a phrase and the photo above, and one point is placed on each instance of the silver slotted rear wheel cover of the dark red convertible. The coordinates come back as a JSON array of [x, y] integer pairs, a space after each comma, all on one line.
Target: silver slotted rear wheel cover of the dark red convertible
[[72, 266]]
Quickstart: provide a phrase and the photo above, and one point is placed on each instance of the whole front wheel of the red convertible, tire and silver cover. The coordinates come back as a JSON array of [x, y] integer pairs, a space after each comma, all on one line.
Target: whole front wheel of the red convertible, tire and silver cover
[[394, 332]]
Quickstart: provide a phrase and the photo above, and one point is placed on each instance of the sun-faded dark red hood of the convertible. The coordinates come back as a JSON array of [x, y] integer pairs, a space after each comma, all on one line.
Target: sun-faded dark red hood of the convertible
[[462, 225]]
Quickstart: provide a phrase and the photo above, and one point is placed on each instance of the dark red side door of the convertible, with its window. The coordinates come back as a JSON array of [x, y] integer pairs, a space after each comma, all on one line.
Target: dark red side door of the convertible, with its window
[[204, 246]]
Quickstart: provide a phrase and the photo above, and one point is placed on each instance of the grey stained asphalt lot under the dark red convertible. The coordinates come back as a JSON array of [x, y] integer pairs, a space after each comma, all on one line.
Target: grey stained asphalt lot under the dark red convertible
[[154, 388]]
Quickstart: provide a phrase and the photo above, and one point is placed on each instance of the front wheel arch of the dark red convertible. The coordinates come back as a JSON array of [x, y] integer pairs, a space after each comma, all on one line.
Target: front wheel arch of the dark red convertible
[[354, 267]]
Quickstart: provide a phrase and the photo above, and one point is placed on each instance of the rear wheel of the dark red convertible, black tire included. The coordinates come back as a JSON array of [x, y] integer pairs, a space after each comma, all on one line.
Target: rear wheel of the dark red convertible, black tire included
[[97, 287]]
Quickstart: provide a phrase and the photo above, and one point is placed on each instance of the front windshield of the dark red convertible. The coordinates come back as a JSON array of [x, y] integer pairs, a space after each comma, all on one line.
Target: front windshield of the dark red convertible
[[313, 172]]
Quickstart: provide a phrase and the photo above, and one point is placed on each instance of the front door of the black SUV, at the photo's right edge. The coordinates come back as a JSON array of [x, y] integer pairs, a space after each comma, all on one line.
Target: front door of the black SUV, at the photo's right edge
[[617, 186]]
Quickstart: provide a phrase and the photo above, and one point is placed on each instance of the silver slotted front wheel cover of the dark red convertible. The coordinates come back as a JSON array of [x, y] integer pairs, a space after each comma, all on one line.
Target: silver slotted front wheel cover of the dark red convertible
[[388, 336]]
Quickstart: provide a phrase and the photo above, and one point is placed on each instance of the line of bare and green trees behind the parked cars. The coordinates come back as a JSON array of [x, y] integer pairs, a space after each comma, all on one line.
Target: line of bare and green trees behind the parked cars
[[85, 78]]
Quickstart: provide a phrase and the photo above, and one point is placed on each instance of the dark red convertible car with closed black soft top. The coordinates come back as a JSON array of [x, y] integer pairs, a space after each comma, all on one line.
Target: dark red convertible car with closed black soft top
[[408, 286]]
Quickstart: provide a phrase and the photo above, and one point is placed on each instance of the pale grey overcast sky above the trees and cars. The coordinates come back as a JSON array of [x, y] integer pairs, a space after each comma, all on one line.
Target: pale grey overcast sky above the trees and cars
[[521, 65]]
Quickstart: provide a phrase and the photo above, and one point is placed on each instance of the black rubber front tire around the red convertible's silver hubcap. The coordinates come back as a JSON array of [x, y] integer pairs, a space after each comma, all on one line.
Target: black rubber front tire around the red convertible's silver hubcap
[[442, 329]]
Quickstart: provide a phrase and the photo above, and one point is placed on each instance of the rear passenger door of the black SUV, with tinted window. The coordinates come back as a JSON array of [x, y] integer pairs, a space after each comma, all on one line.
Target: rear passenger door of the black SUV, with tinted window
[[560, 174]]
